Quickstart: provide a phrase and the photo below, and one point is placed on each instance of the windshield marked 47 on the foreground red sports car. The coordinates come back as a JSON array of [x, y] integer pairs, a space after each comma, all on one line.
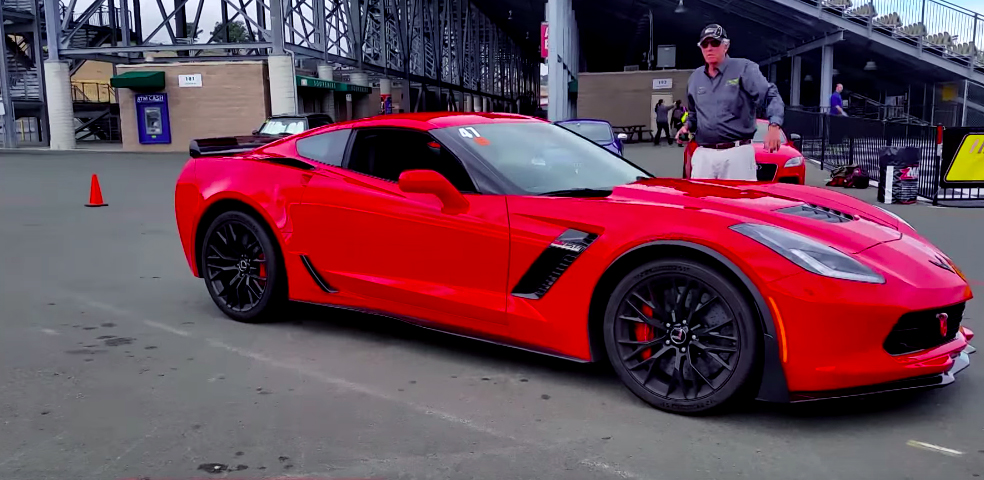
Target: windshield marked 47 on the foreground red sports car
[[542, 157]]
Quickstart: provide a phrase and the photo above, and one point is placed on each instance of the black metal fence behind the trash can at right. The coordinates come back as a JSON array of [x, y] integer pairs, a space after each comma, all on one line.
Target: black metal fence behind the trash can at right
[[837, 141]]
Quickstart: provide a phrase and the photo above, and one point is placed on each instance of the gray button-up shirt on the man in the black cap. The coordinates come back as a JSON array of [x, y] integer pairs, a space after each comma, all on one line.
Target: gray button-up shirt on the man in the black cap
[[723, 108]]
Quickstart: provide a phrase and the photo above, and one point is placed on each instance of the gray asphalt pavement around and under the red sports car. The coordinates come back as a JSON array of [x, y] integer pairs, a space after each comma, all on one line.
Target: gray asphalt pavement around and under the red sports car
[[114, 363]]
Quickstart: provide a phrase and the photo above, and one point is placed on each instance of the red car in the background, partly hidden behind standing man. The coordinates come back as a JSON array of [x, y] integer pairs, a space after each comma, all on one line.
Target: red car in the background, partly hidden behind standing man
[[787, 165]]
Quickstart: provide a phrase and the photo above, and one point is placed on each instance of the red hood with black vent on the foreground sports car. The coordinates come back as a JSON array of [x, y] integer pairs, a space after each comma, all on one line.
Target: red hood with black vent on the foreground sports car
[[835, 219]]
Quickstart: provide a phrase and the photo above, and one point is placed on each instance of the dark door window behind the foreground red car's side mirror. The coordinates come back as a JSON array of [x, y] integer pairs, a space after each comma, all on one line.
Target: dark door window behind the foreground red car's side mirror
[[386, 154]]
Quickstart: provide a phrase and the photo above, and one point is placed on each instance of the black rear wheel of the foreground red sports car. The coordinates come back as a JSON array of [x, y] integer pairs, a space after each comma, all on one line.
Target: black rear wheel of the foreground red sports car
[[242, 268]]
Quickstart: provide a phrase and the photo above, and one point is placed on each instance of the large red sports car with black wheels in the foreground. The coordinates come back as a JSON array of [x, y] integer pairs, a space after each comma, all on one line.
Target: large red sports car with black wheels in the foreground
[[513, 230]]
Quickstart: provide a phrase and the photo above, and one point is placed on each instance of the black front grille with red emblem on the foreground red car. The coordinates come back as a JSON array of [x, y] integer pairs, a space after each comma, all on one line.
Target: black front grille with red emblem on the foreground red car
[[921, 330]]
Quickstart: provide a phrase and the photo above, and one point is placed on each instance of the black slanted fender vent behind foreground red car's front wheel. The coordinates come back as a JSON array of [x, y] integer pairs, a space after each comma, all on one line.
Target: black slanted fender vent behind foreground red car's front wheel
[[552, 263]]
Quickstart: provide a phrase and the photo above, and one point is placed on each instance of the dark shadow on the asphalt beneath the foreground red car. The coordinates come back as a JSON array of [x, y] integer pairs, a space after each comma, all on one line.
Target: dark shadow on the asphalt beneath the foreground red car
[[834, 414]]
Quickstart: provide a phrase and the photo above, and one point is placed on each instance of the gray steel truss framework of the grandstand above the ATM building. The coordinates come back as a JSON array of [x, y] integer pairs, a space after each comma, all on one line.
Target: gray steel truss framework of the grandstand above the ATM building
[[444, 43]]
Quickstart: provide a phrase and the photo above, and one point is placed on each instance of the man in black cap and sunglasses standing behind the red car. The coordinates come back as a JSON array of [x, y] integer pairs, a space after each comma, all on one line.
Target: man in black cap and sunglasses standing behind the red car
[[723, 97]]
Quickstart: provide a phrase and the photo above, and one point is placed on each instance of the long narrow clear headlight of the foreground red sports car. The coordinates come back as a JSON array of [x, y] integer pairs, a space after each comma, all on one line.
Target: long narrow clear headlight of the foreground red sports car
[[809, 254]]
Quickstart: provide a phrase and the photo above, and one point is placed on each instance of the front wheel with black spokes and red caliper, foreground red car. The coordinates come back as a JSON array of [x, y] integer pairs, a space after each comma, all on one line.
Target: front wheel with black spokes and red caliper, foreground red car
[[641, 350]]
